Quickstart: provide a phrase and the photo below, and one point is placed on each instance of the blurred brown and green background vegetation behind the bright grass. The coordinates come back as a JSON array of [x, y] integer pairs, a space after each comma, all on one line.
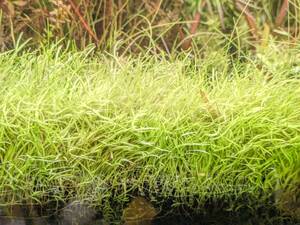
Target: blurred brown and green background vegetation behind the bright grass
[[135, 25]]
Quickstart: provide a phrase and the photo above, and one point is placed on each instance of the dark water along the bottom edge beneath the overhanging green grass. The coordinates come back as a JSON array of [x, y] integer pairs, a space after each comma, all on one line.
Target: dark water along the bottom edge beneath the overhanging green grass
[[79, 214]]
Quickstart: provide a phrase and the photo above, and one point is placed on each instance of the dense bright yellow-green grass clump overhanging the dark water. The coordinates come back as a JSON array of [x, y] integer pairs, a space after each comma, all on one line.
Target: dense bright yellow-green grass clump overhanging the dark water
[[103, 126]]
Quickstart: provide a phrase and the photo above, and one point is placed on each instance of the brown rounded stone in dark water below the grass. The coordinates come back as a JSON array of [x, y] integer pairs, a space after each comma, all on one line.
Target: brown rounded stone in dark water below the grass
[[139, 212]]
